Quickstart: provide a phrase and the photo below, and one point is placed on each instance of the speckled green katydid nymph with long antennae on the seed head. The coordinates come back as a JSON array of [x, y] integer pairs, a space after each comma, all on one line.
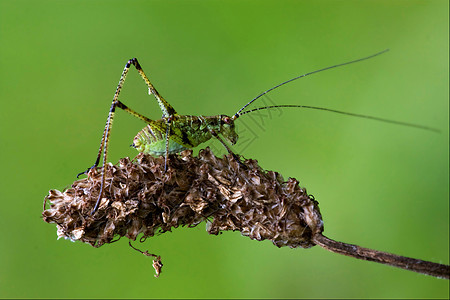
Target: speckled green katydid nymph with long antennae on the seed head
[[174, 133]]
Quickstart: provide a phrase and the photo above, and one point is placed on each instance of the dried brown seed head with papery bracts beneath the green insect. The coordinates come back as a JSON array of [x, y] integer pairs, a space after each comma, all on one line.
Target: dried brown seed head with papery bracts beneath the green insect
[[140, 198]]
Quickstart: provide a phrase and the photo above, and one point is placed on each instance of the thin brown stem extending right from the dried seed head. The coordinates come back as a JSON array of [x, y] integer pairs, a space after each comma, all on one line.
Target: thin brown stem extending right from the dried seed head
[[407, 263]]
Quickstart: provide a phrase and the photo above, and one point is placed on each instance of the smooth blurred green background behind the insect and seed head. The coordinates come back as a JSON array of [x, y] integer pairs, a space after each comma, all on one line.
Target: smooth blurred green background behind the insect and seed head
[[379, 185]]
